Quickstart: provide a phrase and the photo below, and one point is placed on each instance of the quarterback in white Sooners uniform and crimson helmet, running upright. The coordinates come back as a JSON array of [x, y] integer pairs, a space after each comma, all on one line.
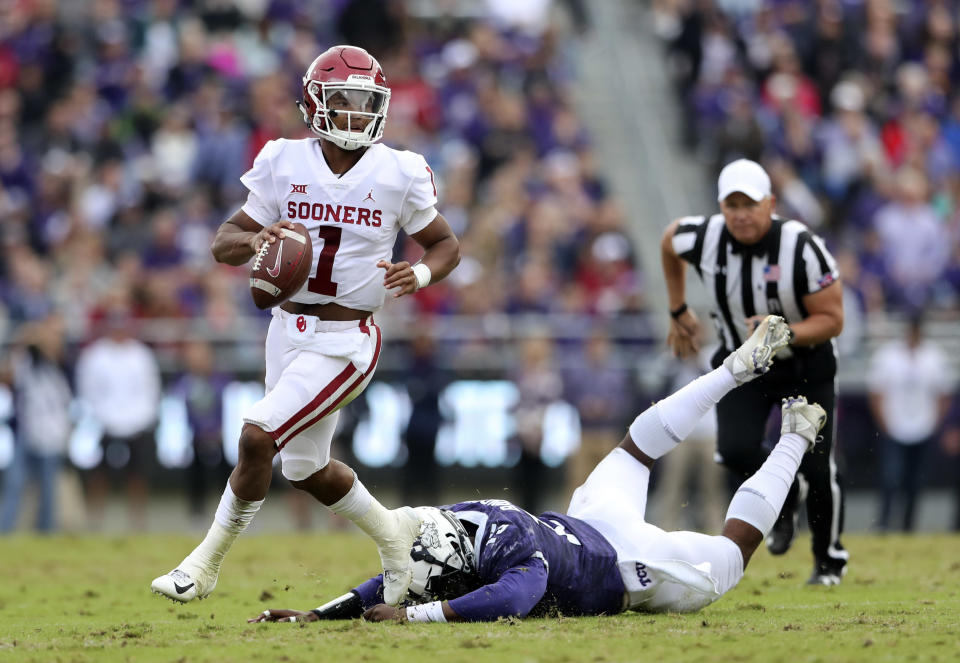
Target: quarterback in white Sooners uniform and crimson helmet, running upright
[[353, 196]]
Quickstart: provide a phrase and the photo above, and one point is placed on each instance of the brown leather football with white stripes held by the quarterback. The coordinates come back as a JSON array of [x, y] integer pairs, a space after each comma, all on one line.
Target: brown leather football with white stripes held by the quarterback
[[279, 269]]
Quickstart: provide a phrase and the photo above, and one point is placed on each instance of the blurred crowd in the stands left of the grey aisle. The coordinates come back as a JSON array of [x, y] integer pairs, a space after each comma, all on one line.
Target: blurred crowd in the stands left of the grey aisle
[[125, 126]]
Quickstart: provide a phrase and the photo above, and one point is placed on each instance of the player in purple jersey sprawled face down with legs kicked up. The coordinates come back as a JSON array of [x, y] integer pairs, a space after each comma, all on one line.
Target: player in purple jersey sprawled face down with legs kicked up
[[487, 559]]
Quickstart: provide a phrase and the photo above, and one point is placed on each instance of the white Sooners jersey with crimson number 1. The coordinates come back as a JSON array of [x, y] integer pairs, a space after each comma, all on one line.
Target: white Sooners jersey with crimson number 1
[[352, 219]]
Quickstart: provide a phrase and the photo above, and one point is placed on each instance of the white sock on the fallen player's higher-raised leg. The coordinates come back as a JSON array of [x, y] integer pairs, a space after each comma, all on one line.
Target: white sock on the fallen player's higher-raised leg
[[663, 426]]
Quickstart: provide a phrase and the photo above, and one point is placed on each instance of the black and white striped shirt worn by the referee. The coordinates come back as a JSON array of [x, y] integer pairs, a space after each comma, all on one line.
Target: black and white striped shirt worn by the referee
[[772, 276]]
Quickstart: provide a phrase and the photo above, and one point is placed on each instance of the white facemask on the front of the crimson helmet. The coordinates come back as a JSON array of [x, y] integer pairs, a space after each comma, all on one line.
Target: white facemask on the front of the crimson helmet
[[357, 97]]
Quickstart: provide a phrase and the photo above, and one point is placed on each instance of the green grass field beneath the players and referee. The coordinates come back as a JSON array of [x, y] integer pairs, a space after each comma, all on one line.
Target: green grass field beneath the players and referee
[[87, 599]]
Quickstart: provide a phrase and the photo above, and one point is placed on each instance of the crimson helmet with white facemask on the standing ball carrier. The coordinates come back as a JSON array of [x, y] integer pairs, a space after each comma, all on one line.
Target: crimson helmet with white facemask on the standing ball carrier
[[357, 77]]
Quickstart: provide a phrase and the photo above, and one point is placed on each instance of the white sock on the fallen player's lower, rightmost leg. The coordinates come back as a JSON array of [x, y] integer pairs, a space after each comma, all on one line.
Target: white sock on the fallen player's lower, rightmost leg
[[759, 499]]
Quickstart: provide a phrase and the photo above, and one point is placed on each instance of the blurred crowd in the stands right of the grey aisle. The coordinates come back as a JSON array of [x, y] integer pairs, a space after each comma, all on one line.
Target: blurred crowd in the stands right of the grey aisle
[[852, 107]]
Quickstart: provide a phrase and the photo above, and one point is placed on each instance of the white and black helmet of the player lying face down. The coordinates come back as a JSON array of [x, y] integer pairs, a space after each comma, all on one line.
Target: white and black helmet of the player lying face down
[[443, 564]]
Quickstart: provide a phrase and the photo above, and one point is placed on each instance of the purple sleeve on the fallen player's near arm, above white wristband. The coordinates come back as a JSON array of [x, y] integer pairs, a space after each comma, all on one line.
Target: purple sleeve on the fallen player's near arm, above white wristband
[[514, 594]]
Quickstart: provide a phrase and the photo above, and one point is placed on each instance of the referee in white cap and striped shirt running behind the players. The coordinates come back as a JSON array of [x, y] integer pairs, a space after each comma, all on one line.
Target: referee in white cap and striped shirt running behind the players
[[755, 263]]
